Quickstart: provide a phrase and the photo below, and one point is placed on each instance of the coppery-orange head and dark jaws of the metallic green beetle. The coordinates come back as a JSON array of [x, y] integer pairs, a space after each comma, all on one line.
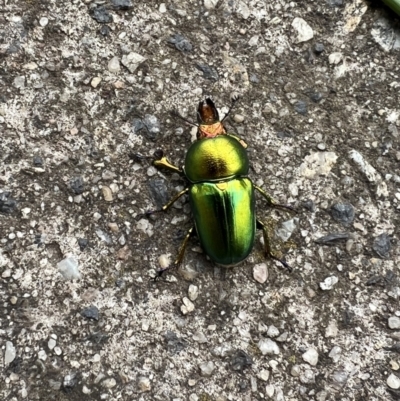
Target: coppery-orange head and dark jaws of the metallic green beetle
[[208, 119]]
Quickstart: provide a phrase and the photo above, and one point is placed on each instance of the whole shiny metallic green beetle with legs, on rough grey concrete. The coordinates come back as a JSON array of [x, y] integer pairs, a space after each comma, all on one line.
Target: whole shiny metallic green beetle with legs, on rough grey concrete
[[221, 195]]
